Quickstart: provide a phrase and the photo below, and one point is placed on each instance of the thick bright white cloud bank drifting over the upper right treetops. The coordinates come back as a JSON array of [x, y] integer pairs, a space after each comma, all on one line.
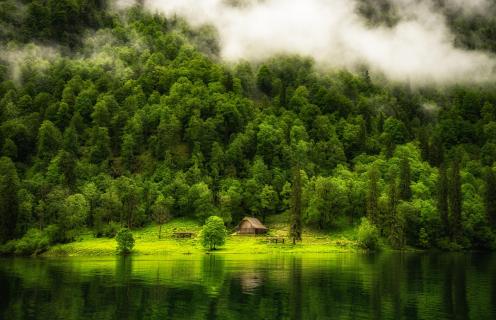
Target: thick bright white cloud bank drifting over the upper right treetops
[[418, 49]]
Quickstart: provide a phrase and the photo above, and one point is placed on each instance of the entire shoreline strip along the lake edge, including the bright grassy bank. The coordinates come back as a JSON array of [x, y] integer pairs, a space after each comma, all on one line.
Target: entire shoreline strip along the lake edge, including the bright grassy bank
[[148, 244]]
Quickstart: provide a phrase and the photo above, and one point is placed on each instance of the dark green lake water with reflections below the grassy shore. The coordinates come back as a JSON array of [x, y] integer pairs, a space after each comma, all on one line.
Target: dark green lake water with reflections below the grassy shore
[[337, 286]]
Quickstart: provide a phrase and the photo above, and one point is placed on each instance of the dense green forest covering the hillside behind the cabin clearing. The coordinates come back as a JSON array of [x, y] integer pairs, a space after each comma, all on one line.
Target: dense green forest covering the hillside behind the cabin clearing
[[115, 118]]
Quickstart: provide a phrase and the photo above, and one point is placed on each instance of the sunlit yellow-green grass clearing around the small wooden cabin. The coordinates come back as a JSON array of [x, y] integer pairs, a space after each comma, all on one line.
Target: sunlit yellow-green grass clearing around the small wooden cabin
[[147, 242]]
